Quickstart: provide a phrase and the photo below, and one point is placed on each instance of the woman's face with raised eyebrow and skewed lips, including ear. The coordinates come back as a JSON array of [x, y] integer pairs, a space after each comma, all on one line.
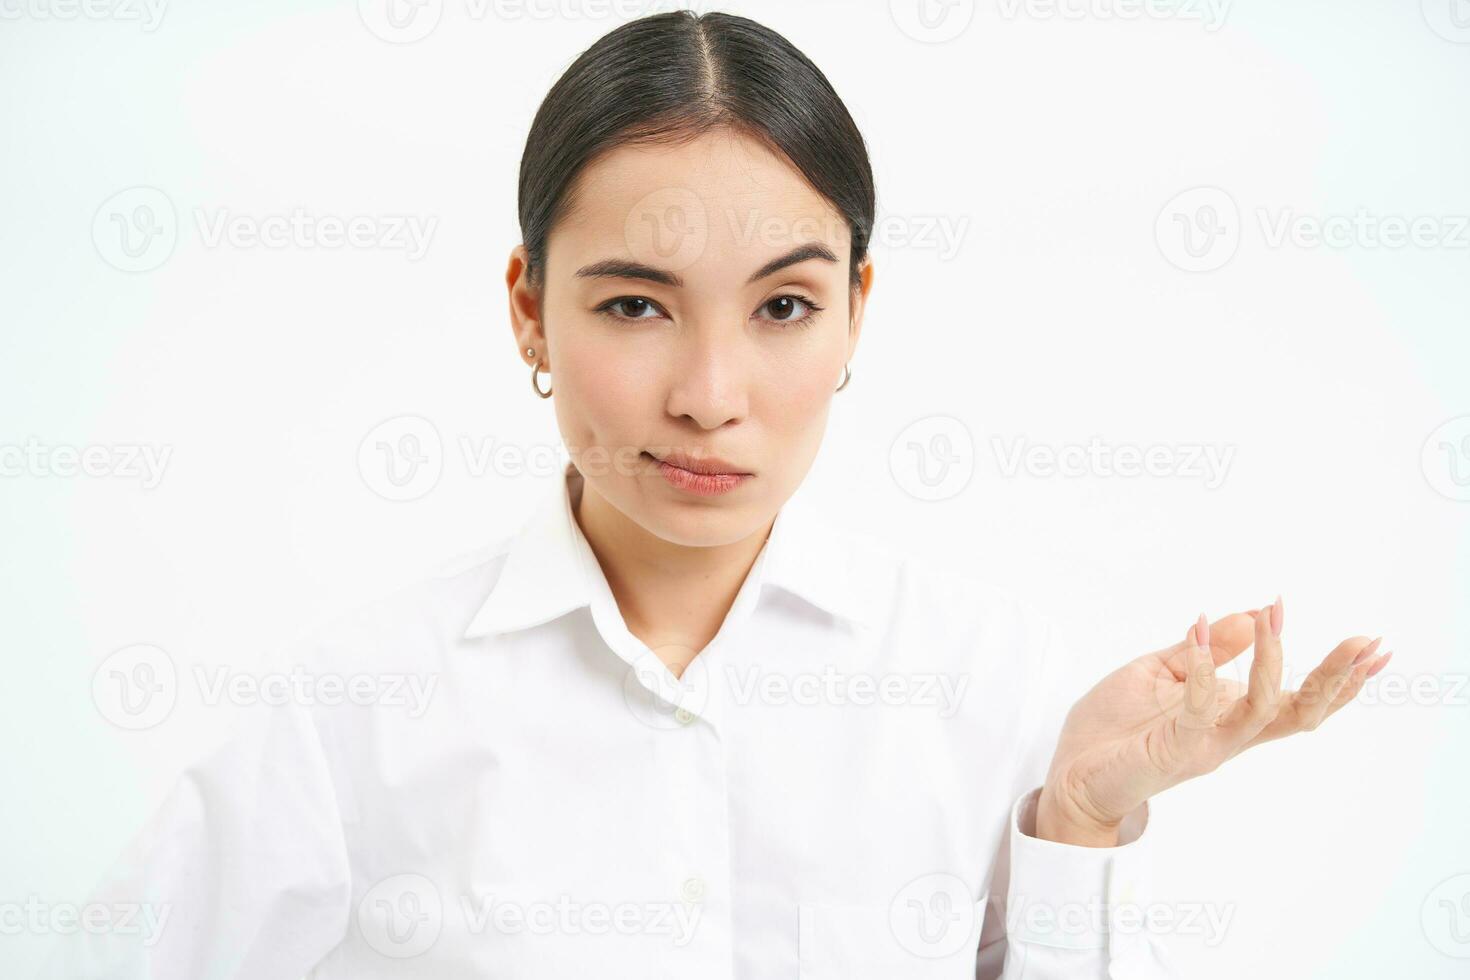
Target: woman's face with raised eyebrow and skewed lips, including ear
[[696, 302]]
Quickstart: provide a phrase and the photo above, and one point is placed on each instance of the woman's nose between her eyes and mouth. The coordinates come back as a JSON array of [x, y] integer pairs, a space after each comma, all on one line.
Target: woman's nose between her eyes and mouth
[[711, 377]]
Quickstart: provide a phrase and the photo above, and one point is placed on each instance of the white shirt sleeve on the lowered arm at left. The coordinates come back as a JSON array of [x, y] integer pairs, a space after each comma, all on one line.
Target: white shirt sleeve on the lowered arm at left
[[240, 873]]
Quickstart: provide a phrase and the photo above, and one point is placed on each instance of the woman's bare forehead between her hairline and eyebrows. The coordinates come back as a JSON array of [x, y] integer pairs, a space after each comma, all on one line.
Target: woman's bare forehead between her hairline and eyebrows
[[714, 208]]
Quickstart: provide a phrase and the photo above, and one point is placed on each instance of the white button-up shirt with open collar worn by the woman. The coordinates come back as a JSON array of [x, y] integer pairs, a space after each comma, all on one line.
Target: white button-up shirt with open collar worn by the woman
[[840, 787]]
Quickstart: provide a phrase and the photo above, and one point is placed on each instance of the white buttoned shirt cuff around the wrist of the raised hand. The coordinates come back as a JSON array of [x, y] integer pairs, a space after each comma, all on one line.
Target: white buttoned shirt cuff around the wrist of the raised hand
[[1071, 897]]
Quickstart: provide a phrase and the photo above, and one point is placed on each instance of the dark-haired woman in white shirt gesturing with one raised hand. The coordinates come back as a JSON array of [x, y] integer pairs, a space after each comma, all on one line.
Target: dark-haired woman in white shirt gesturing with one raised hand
[[680, 725]]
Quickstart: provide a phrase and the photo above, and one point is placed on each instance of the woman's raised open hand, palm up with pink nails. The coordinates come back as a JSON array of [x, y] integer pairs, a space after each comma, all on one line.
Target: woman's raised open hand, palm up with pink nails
[[1165, 718]]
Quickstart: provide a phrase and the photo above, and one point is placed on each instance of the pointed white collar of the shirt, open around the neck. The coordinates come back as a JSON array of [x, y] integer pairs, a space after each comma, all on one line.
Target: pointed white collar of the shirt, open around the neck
[[551, 569]]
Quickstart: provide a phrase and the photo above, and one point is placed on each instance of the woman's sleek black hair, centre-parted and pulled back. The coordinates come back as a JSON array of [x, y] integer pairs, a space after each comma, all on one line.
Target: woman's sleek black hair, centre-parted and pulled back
[[671, 77]]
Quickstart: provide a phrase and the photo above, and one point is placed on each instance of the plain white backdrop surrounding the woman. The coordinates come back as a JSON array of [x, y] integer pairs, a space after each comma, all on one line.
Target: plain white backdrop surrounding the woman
[[1052, 143]]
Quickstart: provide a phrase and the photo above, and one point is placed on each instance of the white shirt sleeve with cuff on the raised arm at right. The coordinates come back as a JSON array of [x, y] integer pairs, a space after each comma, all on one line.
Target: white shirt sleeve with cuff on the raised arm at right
[[1061, 912]]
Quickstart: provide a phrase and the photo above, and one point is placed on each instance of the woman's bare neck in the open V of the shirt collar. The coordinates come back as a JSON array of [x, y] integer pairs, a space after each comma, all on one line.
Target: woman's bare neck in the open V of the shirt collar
[[673, 597]]
